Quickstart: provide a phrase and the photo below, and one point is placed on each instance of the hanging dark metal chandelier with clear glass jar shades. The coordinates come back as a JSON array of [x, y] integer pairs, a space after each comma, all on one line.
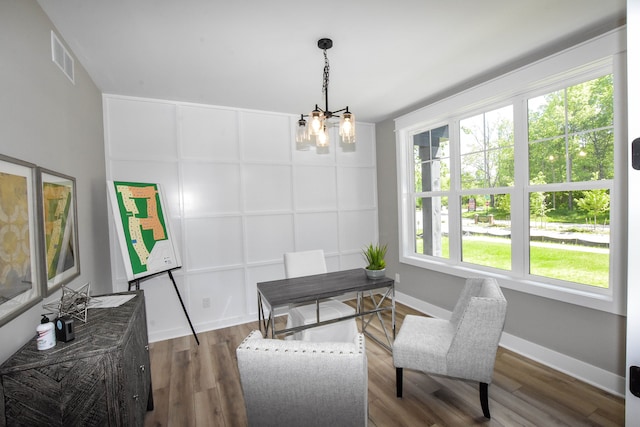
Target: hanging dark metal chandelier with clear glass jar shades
[[316, 128]]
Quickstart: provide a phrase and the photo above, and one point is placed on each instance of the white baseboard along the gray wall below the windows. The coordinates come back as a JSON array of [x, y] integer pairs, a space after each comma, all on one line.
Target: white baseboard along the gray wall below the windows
[[590, 374]]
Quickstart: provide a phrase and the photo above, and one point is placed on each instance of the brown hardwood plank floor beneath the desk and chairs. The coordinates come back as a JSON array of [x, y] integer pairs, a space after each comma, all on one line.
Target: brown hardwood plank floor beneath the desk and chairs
[[199, 386]]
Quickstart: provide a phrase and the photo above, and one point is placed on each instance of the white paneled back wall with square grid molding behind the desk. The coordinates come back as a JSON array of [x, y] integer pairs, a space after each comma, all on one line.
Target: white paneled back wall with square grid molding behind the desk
[[239, 195]]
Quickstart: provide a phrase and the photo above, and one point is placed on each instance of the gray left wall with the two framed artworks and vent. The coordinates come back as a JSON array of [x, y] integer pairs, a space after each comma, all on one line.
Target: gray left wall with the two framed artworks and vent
[[46, 120]]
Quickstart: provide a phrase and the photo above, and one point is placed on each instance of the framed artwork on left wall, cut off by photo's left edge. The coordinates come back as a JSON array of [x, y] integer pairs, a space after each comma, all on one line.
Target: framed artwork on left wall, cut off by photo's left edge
[[20, 278]]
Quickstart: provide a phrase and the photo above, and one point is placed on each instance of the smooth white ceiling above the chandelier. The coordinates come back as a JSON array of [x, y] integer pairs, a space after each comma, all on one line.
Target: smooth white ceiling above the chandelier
[[388, 56]]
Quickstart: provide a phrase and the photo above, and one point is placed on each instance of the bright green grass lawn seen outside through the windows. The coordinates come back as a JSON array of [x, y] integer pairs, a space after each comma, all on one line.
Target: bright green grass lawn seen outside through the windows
[[562, 262]]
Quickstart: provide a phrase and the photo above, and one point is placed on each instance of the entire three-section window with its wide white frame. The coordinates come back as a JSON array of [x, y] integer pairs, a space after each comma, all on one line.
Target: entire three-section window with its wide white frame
[[515, 179]]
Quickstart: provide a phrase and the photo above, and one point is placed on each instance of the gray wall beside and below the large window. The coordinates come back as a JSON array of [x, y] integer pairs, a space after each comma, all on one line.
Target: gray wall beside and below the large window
[[595, 337]]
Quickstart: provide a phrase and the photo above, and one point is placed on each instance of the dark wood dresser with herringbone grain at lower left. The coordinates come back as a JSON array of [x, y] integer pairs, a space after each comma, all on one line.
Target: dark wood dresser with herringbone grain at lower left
[[102, 377]]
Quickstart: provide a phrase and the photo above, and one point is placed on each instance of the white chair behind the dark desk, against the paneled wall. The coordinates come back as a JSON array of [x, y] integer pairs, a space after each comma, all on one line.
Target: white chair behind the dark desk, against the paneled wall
[[308, 263]]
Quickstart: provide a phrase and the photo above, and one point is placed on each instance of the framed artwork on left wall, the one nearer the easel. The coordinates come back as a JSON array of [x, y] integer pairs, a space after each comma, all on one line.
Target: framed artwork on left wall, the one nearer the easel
[[59, 229]]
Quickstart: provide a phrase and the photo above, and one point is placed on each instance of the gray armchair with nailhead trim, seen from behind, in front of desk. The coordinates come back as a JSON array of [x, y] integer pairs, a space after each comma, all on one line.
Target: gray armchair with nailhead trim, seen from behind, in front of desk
[[302, 383]]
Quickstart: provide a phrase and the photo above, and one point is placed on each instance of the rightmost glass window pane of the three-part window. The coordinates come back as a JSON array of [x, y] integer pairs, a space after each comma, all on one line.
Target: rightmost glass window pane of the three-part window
[[571, 143]]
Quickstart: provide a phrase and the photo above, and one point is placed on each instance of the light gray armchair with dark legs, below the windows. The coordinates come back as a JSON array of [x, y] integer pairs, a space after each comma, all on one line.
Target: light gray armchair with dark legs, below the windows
[[464, 346]]
